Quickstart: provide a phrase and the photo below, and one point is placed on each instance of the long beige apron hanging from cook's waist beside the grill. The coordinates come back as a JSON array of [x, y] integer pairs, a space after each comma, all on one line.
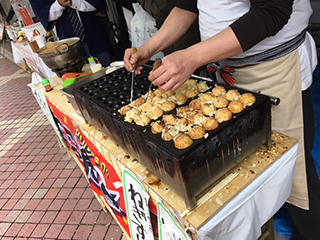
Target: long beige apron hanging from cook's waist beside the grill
[[282, 78]]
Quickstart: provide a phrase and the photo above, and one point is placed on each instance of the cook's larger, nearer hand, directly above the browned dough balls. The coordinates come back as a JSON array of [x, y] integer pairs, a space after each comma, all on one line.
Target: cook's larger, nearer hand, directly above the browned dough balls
[[175, 70]]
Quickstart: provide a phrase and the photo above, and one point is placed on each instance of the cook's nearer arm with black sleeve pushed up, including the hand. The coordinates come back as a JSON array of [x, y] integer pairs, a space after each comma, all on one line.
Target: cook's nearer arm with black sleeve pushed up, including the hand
[[265, 17]]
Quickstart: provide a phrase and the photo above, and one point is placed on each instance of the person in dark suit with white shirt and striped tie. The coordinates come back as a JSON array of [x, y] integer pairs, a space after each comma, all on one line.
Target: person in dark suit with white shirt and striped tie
[[77, 18]]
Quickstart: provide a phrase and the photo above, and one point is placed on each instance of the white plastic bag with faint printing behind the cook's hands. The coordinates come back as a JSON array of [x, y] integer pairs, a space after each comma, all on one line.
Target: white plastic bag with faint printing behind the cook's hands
[[143, 28]]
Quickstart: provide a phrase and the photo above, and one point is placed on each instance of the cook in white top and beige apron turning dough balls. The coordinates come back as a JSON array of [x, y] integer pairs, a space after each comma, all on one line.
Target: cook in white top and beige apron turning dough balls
[[267, 46]]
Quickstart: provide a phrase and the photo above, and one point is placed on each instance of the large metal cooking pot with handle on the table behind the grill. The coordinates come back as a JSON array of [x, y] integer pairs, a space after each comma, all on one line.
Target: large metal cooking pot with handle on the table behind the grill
[[65, 53]]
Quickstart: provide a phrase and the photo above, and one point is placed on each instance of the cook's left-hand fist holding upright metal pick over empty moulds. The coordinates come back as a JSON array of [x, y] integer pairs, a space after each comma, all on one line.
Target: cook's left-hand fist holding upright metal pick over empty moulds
[[139, 58]]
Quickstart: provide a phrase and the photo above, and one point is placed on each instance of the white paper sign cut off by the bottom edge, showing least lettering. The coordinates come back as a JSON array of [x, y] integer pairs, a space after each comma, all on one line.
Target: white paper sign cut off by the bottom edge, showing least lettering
[[169, 229]]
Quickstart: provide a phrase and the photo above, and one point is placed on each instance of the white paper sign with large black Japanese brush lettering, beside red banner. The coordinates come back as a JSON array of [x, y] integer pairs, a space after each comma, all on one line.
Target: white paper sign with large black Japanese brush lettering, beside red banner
[[136, 199]]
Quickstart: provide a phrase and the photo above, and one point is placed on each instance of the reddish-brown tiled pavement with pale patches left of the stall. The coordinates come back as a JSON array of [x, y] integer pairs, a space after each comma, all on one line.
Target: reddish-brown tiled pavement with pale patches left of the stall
[[43, 193]]
